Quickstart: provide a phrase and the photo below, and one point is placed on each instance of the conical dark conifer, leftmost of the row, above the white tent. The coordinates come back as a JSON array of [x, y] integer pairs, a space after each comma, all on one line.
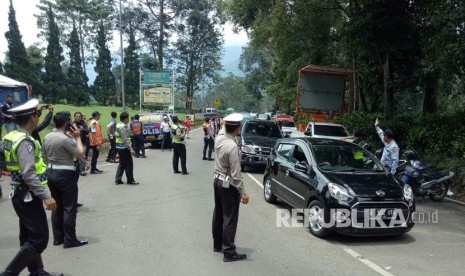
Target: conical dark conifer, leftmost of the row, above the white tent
[[17, 65]]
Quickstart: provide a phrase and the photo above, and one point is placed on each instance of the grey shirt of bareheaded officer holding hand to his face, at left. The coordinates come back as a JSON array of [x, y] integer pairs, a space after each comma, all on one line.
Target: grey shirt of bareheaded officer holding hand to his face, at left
[[60, 148]]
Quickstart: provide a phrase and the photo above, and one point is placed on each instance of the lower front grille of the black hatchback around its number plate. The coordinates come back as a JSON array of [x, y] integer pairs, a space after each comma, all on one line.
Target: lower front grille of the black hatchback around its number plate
[[362, 209]]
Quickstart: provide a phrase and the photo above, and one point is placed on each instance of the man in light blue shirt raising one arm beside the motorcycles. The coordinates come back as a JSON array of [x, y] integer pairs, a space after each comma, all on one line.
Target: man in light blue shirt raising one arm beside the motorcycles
[[390, 157]]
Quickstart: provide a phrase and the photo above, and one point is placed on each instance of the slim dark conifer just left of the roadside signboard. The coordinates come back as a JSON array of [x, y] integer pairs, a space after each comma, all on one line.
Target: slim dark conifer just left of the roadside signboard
[[131, 66]]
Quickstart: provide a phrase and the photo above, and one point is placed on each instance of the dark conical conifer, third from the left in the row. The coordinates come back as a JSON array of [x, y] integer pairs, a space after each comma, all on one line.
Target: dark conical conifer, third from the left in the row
[[77, 79]]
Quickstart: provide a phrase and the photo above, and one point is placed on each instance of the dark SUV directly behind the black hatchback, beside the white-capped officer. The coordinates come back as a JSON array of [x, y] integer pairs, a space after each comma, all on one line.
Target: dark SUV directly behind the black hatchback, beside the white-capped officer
[[258, 137]]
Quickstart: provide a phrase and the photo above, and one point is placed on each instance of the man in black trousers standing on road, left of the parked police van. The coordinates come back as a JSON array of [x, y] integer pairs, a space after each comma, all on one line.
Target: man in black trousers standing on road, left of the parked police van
[[125, 151]]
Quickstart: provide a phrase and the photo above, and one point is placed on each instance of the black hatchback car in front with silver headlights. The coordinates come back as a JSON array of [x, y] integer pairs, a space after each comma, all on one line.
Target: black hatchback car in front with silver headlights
[[339, 186]]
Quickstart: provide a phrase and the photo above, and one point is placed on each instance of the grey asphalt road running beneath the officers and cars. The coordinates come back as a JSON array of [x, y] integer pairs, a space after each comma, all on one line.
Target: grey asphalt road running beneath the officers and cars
[[163, 227]]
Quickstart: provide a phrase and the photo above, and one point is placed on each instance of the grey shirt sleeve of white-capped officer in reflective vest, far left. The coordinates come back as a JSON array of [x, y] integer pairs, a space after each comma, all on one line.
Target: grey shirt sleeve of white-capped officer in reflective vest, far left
[[26, 161]]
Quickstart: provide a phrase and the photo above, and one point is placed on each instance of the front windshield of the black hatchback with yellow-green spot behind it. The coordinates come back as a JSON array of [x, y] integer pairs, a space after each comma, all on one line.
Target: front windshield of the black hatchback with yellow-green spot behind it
[[345, 158]]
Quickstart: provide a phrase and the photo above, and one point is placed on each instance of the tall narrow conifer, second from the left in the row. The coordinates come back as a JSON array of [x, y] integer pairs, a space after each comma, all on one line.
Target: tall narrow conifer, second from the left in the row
[[53, 78]]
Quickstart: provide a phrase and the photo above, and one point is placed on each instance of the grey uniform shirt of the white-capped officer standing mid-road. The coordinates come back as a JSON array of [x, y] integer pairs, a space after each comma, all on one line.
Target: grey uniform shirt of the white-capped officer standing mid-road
[[227, 161]]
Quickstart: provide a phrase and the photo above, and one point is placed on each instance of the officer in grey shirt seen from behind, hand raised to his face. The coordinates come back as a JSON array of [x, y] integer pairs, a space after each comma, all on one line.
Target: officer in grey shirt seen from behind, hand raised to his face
[[61, 148]]
